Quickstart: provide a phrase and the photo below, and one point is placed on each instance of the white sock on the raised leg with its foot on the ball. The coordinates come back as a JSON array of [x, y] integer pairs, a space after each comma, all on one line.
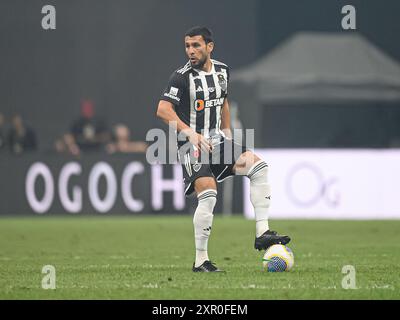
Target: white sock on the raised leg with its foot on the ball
[[260, 195]]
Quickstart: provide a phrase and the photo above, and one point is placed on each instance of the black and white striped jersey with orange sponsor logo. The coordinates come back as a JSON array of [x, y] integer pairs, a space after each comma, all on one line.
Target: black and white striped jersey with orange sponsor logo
[[198, 96]]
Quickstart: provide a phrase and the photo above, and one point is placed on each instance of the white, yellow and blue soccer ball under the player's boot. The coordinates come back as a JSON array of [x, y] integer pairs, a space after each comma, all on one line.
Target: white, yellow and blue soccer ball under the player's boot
[[278, 258]]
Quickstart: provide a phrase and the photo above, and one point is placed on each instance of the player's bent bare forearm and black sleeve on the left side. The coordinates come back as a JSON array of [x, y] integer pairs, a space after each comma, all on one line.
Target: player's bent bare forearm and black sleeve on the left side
[[166, 111]]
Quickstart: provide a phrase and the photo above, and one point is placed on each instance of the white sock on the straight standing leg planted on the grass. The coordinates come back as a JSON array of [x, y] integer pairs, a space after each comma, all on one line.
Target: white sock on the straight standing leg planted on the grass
[[202, 222]]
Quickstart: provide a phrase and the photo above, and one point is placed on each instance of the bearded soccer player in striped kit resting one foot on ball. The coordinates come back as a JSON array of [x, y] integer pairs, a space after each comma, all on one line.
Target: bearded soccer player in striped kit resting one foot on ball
[[195, 103]]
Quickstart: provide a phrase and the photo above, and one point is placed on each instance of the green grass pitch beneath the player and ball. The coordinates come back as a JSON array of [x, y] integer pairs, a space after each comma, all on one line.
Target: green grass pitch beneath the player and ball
[[151, 258]]
